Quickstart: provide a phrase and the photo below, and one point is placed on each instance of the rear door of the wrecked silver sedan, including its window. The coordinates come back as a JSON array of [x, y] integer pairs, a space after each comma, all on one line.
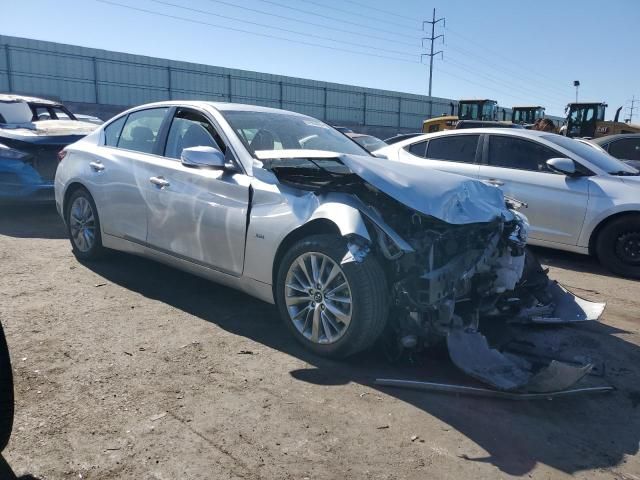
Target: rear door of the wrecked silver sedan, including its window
[[131, 144]]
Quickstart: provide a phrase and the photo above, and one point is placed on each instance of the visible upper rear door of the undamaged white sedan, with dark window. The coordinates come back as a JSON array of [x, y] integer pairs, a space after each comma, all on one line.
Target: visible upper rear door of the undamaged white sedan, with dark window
[[449, 153]]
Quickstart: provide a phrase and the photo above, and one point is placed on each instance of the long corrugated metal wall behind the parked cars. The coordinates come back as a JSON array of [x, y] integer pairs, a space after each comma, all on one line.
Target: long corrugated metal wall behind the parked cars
[[86, 75]]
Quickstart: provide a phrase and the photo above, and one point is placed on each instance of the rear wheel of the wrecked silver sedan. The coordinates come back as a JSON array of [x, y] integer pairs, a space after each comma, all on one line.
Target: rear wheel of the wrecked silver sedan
[[83, 226]]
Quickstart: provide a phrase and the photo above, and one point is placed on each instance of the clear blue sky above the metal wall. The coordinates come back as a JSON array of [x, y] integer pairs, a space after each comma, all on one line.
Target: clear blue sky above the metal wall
[[515, 52]]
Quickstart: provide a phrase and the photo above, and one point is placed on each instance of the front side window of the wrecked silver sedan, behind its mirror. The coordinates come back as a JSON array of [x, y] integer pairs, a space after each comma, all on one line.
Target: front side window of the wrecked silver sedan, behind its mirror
[[191, 129]]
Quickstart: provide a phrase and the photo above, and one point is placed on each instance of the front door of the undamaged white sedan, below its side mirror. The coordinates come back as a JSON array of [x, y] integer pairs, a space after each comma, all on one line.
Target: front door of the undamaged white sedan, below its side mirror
[[557, 204]]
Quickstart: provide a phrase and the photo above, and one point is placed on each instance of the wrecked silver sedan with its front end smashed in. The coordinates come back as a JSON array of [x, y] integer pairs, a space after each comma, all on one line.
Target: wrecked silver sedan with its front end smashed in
[[350, 247]]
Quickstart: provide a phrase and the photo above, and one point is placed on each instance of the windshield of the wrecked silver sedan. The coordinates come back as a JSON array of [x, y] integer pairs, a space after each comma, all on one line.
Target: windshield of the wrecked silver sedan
[[260, 131]]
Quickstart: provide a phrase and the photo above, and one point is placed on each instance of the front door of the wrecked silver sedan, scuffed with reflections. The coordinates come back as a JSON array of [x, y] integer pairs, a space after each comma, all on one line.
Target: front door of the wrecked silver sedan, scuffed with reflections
[[199, 214]]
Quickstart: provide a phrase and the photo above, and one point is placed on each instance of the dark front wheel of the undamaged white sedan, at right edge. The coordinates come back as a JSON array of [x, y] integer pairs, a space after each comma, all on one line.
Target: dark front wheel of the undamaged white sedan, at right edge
[[618, 246]]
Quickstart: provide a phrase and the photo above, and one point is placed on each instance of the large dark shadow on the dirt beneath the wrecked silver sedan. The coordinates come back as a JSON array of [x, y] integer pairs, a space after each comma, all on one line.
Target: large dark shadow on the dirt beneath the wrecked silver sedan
[[570, 434]]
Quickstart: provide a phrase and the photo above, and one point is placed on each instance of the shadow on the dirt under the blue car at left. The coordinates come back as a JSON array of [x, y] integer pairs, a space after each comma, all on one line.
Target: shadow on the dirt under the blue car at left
[[31, 221]]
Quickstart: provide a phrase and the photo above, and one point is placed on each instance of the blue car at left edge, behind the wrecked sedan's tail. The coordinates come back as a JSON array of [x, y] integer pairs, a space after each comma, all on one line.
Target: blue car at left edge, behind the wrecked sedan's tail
[[32, 132]]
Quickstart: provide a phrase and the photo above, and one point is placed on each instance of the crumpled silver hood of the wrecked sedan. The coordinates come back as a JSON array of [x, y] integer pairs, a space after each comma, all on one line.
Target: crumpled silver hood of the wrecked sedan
[[452, 198]]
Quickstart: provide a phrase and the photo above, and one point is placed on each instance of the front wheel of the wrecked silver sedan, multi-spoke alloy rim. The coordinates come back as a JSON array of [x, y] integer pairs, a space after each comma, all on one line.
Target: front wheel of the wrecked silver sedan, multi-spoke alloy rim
[[333, 309]]
